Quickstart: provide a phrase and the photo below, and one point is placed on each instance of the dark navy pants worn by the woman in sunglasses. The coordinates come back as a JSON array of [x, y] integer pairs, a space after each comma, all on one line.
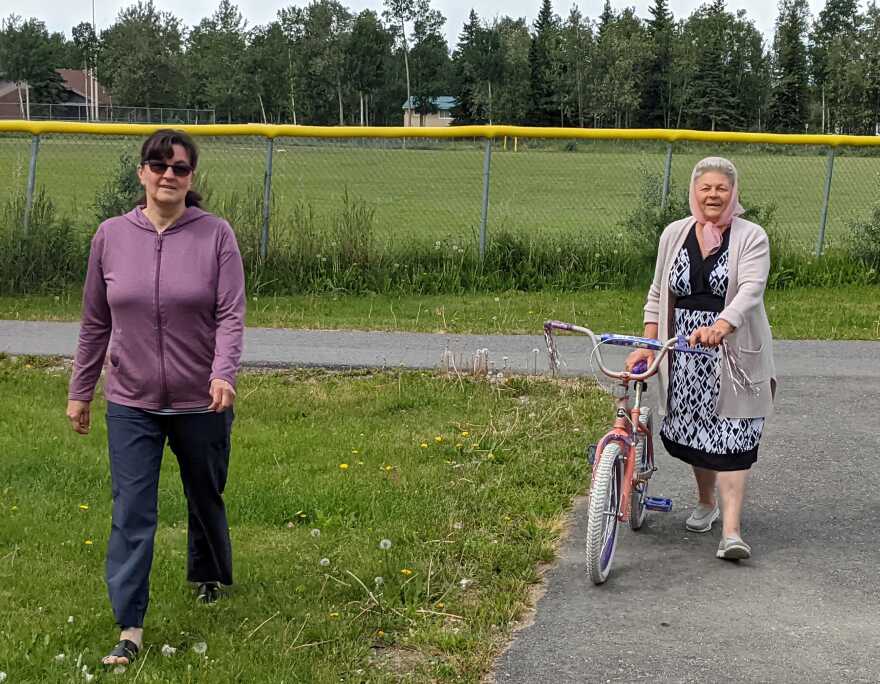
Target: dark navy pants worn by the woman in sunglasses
[[137, 439]]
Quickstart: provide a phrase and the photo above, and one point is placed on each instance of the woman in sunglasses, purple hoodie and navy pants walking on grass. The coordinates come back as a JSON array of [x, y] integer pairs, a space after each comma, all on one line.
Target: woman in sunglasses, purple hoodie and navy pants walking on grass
[[165, 292]]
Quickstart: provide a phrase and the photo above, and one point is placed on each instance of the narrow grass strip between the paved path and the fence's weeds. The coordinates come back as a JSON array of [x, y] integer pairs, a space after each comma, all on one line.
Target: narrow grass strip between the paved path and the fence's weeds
[[839, 313]]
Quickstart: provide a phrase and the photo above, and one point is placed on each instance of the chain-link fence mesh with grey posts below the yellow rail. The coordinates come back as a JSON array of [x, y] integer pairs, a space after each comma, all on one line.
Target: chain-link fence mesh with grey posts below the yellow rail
[[452, 193]]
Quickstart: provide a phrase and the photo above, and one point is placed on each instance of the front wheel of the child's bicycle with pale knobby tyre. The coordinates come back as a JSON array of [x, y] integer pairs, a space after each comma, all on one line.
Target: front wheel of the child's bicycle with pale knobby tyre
[[605, 494]]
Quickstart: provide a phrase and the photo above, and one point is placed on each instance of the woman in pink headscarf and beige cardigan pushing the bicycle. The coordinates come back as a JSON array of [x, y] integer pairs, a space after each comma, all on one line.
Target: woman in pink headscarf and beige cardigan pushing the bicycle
[[708, 286]]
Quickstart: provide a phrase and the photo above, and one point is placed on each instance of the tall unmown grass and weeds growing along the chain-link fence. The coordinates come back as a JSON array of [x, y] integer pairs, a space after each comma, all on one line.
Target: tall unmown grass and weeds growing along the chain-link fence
[[344, 250]]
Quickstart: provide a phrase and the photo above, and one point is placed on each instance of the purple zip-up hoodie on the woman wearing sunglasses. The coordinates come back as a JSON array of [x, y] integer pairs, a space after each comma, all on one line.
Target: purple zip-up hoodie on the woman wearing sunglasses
[[170, 306]]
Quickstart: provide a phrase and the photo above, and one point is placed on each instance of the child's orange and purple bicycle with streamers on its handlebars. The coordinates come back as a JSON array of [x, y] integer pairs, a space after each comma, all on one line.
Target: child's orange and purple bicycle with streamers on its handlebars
[[623, 460]]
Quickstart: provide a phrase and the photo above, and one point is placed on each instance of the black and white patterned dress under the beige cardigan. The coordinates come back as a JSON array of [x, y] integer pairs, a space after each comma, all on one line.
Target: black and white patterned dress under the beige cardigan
[[691, 430]]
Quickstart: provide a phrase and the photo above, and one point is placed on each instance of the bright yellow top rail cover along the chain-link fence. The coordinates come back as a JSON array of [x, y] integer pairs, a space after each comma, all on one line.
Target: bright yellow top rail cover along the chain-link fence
[[489, 132]]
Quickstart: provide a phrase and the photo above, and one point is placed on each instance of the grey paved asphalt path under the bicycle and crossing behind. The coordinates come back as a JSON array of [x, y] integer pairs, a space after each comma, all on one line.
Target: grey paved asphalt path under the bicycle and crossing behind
[[806, 608]]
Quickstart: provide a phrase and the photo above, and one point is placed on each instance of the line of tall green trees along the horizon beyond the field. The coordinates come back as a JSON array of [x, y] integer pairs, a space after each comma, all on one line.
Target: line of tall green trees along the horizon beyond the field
[[324, 64]]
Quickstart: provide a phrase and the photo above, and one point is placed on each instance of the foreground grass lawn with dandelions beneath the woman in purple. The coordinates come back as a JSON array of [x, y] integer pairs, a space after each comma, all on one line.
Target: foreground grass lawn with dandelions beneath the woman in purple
[[469, 481]]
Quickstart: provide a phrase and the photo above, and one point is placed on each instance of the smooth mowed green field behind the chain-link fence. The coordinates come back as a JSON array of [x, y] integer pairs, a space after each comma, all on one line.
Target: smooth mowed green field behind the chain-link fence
[[435, 194]]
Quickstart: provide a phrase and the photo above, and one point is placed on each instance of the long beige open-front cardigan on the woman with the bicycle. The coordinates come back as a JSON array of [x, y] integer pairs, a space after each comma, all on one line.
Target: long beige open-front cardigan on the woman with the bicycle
[[751, 342]]
